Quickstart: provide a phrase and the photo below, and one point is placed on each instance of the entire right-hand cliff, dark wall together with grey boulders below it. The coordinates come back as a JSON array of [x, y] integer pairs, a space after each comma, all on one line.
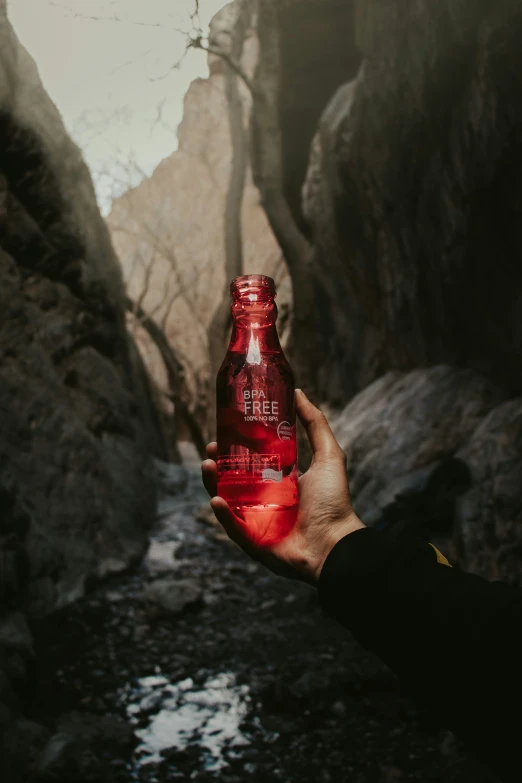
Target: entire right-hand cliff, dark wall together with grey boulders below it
[[414, 209]]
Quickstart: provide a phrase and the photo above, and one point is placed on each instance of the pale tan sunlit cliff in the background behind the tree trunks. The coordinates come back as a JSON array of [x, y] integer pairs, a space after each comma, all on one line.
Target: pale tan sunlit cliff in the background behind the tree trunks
[[169, 231]]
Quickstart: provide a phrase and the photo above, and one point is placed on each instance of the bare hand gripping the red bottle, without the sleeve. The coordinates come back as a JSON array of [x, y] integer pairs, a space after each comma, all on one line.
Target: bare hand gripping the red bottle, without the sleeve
[[325, 509]]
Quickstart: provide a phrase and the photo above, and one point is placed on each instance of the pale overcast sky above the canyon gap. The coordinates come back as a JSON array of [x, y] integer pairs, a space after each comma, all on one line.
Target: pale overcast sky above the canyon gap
[[112, 77]]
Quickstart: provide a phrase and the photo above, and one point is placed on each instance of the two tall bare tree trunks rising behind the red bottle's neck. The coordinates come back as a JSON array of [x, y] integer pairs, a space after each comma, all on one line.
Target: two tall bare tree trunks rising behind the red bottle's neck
[[305, 347]]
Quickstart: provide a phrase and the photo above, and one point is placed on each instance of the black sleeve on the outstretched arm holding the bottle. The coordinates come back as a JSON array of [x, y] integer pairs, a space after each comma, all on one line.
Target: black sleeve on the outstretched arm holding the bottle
[[453, 639]]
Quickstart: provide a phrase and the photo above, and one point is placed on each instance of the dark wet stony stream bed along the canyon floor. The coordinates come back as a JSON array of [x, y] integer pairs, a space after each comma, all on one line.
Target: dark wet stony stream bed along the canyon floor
[[202, 666]]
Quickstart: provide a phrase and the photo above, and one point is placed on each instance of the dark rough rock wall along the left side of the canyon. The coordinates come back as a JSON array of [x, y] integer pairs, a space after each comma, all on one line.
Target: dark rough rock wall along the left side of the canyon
[[77, 425]]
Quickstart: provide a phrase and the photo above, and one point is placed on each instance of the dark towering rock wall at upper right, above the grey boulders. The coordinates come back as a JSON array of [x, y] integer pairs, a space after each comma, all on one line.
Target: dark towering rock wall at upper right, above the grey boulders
[[411, 194]]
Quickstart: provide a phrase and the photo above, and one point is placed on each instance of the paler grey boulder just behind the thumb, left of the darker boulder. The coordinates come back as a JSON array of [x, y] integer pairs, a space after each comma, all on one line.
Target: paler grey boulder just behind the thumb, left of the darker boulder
[[401, 435]]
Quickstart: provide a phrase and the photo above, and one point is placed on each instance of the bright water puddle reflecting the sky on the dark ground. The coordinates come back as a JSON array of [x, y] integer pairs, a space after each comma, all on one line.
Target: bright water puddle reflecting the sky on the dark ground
[[170, 718]]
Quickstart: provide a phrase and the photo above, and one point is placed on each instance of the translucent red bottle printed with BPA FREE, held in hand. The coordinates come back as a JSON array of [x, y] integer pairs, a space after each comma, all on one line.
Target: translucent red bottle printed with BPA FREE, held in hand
[[257, 449]]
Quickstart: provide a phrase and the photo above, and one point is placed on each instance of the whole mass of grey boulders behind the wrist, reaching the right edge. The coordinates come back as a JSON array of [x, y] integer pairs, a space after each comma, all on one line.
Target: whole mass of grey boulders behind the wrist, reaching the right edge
[[439, 452]]
